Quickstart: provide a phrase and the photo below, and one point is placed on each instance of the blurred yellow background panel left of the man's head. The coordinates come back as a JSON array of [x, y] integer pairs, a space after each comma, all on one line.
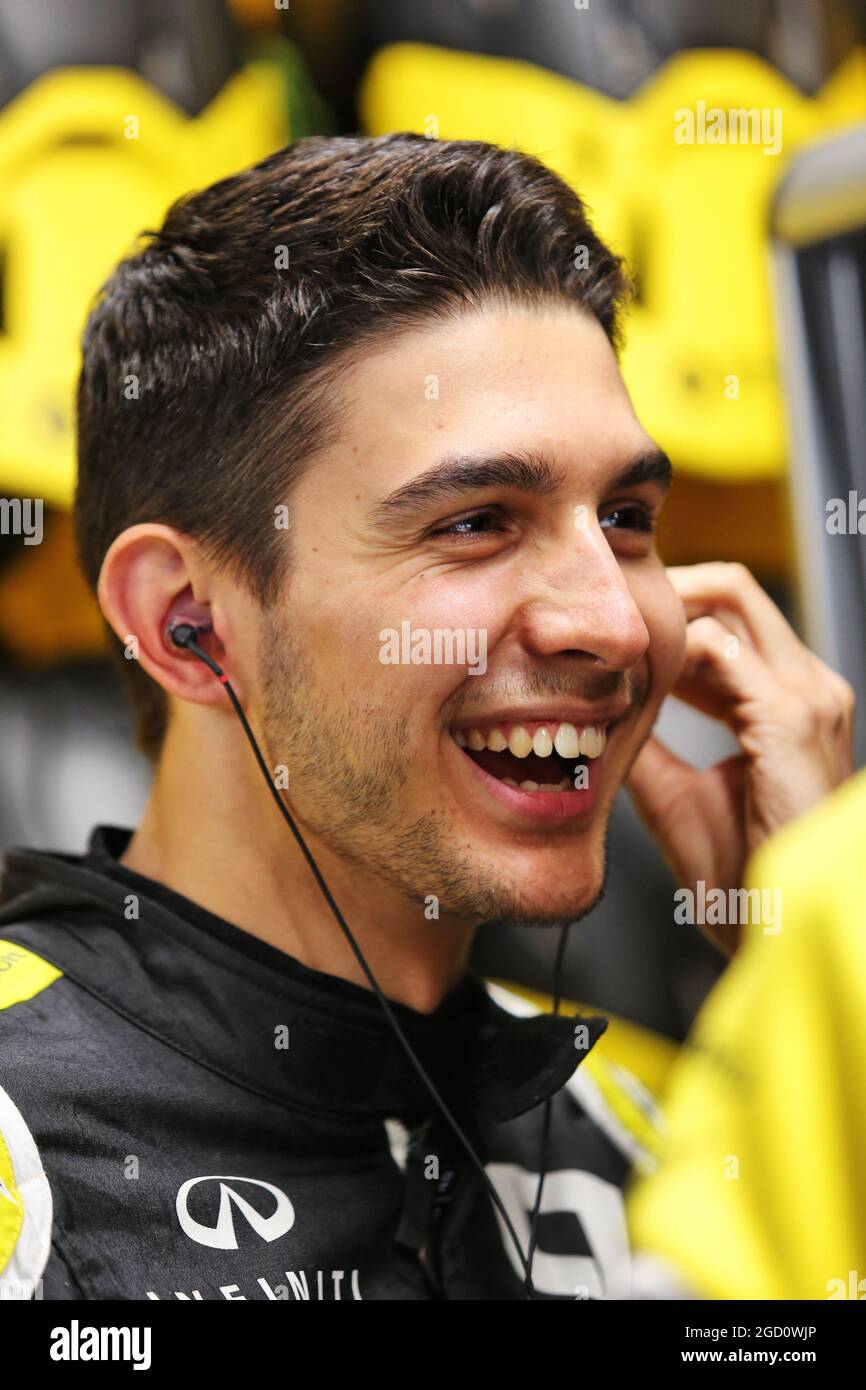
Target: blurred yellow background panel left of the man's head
[[90, 158]]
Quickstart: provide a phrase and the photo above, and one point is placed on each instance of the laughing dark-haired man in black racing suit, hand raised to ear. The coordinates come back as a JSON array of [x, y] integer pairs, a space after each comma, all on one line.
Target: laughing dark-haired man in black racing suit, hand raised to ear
[[368, 389]]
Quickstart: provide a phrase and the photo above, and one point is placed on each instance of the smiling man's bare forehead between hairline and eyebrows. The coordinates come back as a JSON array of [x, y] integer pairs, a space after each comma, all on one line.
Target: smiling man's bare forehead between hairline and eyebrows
[[530, 401]]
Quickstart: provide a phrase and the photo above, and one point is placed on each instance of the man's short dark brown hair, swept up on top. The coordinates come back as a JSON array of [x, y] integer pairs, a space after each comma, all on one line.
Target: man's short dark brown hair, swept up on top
[[212, 355]]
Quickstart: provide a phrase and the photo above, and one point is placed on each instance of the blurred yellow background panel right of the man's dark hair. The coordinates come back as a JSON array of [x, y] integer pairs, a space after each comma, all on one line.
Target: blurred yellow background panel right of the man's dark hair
[[701, 359]]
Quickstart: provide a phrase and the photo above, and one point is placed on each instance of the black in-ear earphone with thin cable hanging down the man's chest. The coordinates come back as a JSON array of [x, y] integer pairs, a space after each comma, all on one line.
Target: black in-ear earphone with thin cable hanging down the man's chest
[[187, 636]]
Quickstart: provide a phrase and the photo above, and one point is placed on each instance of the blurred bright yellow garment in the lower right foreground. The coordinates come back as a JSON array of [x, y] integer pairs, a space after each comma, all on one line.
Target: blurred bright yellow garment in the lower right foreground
[[760, 1191]]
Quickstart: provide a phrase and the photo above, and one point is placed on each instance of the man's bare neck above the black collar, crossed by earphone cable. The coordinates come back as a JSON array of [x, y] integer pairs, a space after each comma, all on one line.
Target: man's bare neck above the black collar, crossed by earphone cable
[[212, 833]]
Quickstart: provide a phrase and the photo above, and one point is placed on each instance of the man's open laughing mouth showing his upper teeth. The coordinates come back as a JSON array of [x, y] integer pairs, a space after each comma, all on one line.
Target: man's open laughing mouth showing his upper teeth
[[537, 757]]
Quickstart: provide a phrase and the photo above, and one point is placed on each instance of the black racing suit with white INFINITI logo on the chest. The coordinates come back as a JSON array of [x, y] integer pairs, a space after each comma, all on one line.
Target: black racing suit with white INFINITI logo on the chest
[[188, 1113]]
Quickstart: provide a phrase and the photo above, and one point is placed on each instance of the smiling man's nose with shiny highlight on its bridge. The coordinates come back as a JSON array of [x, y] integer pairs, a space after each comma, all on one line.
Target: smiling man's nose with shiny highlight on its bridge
[[582, 604]]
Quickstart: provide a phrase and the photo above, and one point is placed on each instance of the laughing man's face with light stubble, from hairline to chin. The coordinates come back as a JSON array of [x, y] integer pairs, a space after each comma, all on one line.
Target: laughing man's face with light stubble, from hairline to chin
[[475, 575]]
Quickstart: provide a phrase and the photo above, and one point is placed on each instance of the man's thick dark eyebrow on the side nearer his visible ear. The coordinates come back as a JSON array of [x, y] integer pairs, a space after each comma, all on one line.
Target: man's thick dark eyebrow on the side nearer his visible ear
[[451, 477]]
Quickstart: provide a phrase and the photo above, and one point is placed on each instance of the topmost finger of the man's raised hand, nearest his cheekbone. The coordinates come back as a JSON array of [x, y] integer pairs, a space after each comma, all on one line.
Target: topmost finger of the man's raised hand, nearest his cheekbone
[[732, 594]]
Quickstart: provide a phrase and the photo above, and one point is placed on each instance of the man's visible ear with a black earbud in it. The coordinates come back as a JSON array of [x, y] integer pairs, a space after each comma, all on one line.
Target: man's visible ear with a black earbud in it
[[151, 579]]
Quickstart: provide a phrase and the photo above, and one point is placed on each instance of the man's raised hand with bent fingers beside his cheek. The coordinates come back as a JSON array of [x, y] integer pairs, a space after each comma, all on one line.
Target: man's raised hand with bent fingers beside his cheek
[[792, 715]]
